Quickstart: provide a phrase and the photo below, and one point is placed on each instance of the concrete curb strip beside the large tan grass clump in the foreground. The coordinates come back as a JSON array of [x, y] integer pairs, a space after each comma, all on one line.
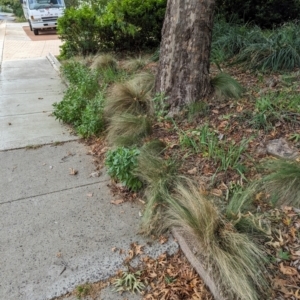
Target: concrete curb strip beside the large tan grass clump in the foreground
[[197, 264]]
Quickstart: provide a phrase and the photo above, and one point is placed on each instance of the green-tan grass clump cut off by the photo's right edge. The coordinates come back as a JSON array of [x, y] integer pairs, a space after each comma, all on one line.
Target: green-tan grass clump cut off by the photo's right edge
[[282, 181]]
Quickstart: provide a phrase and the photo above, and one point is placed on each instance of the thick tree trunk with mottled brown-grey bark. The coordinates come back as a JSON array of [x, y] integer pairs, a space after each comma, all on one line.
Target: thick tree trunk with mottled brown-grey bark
[[183, 73]]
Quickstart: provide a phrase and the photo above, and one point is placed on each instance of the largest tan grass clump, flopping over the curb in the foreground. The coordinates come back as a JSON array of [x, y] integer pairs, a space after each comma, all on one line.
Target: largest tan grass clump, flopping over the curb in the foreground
[[232, 255]]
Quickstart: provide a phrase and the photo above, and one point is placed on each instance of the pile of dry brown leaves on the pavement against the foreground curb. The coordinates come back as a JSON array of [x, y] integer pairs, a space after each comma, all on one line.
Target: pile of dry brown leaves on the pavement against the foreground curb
[[169, 277]]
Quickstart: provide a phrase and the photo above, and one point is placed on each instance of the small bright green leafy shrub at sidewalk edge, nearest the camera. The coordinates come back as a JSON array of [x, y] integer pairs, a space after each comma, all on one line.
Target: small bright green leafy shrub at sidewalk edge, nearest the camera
[[121, 163]]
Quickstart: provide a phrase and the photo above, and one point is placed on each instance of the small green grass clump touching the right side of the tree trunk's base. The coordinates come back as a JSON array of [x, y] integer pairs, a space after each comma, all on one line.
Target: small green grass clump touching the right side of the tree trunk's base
[[227, 86]]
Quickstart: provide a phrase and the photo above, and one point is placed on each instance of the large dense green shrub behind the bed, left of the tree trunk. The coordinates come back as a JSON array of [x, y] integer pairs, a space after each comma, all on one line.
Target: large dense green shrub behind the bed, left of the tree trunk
[[115, 25]]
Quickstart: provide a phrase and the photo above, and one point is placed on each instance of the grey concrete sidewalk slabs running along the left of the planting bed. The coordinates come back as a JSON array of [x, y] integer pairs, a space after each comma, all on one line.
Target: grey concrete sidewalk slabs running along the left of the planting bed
[[57, 230]]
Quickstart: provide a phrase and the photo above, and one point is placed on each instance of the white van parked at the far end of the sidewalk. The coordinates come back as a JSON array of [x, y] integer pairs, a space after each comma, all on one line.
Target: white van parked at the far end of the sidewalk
[[42, 14]]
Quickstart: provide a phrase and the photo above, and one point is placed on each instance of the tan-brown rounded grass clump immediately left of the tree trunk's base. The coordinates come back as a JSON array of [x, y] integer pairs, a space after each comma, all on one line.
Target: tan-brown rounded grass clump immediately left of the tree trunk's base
[[130, 97]]
